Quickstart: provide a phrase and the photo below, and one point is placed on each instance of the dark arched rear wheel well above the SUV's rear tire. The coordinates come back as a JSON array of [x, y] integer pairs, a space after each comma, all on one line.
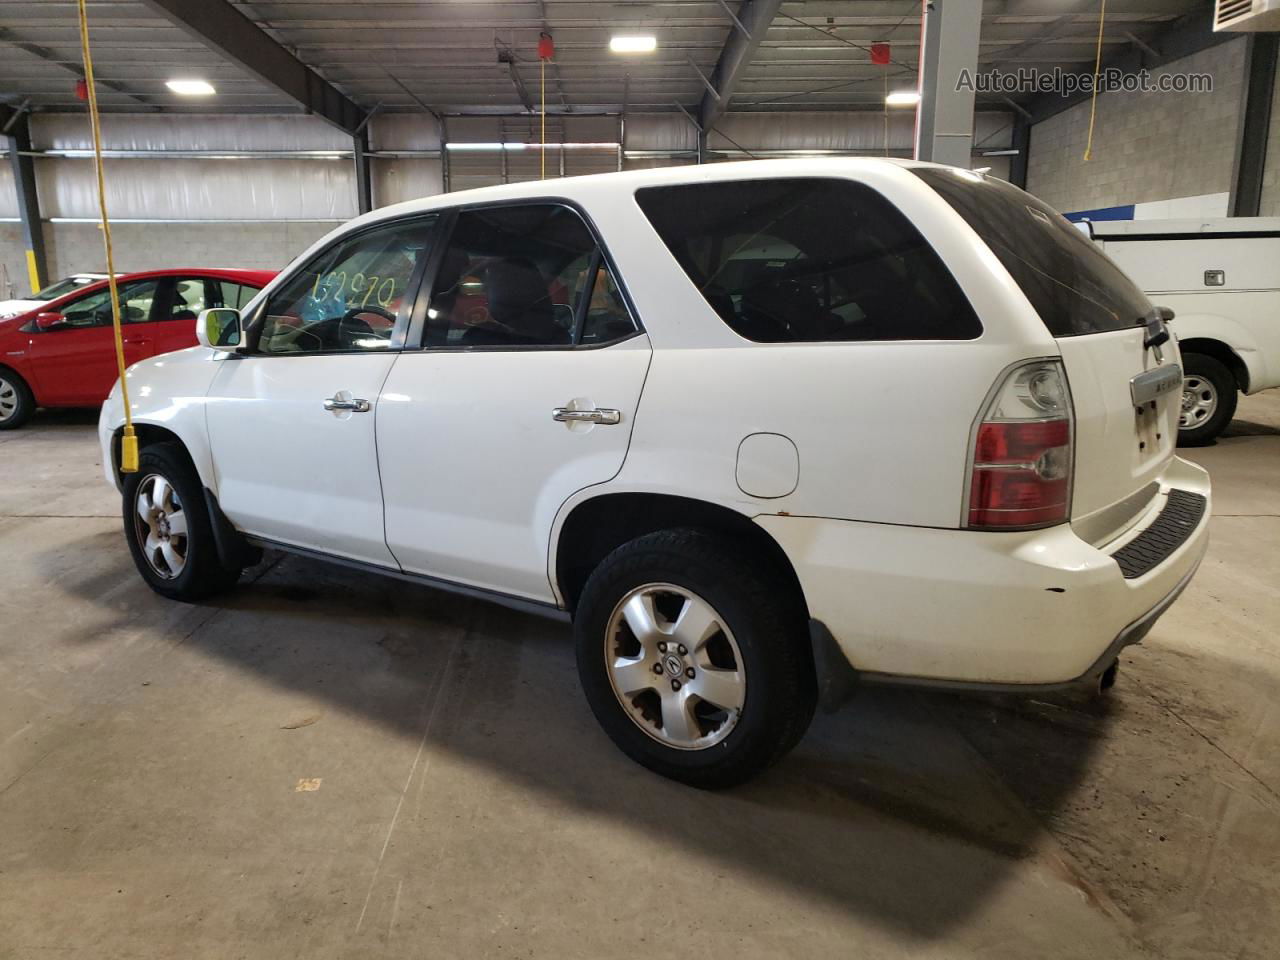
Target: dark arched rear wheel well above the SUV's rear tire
[[598, 527]]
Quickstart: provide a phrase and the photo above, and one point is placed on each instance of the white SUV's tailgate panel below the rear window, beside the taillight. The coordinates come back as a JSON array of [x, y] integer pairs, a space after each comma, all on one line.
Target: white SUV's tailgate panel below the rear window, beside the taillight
[[1122, 449]]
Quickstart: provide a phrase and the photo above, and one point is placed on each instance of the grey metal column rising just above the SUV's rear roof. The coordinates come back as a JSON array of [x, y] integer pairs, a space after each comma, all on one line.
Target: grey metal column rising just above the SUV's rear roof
[[944, 122]]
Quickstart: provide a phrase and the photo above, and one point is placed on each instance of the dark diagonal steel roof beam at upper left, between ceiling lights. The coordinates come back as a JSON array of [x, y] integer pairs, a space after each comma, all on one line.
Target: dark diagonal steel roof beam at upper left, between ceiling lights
[[223, 29]]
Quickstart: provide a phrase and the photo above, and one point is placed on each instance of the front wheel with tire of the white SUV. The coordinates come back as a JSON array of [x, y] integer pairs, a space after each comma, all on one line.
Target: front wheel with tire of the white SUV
[[168, 528]]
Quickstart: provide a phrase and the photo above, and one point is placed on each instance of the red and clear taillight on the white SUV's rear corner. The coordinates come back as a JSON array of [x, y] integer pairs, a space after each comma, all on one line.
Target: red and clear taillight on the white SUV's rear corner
[[1023, 452]]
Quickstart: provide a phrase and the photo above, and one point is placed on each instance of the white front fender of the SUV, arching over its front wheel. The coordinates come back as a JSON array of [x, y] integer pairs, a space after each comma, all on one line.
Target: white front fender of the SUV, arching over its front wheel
[[168, 394]]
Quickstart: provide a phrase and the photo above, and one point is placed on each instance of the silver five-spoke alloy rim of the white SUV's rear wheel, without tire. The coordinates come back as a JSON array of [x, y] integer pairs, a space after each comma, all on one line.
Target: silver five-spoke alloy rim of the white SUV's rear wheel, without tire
[[675, 666]]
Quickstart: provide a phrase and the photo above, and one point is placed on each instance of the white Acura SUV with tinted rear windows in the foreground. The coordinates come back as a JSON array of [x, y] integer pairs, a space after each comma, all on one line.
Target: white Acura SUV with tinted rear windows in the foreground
[[755, 428]]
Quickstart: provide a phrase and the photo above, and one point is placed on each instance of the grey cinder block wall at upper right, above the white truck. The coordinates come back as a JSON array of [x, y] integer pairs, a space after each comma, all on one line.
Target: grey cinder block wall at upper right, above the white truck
[[1146, 147]]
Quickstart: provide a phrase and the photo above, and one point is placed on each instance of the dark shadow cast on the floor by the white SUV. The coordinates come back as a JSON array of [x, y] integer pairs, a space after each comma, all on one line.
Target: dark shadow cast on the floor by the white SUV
[[886, 808]]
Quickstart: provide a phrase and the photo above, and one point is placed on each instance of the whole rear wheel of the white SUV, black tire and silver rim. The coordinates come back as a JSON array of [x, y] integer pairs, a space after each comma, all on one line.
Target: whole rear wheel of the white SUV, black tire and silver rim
[[693, 660]]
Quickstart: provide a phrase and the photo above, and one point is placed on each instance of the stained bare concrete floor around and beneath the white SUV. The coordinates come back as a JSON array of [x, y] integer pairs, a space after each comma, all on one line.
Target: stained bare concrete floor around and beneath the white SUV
[[330, 765]]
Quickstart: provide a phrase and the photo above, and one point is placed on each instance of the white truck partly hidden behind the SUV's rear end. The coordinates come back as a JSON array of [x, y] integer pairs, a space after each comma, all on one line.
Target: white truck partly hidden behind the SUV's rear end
[[1222, 278]]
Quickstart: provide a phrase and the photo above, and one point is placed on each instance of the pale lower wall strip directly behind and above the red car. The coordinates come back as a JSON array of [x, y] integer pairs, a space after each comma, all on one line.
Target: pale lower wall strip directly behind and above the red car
[[74, 248]]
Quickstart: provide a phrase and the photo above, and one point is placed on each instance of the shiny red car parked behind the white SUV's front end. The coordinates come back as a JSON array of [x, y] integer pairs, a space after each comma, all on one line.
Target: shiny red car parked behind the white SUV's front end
[[63, 354]]
